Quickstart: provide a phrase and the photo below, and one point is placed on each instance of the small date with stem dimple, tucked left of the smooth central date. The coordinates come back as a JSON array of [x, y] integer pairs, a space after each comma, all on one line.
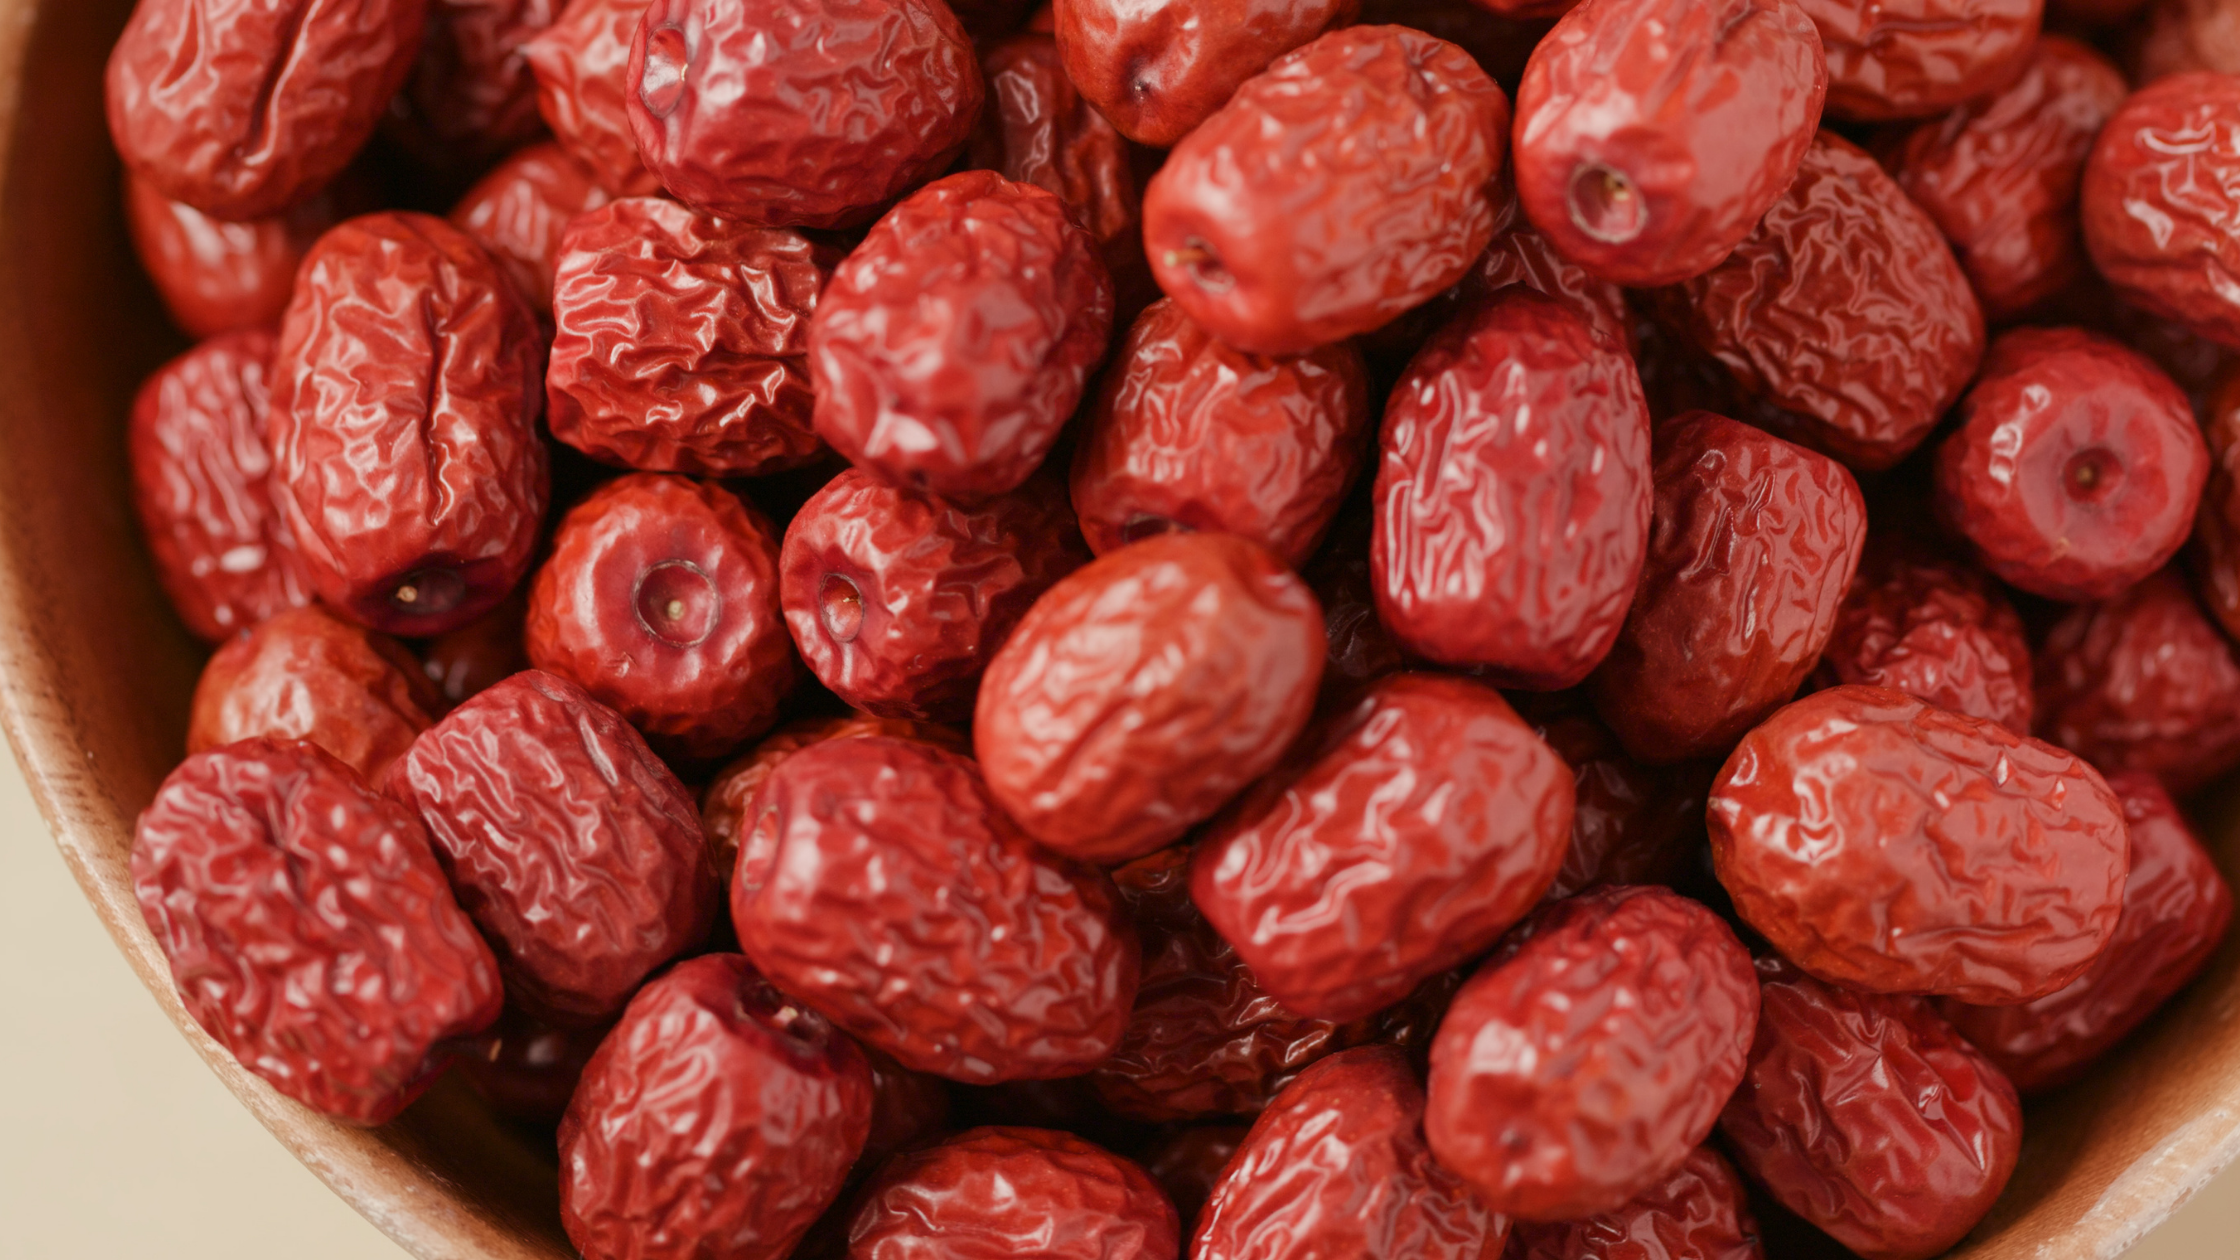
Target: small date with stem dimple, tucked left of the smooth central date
[[899, 600]]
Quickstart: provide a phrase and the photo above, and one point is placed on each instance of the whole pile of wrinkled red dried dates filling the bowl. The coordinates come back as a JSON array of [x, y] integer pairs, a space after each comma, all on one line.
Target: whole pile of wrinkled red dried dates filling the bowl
[[1253, 631]]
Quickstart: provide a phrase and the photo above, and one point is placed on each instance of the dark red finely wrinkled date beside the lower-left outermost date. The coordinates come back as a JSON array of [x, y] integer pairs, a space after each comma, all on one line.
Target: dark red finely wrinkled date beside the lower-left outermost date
[[568, 842]]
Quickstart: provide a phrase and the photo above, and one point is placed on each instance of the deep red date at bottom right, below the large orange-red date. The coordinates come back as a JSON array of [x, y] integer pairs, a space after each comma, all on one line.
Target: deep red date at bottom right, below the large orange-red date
[[1869, 1118]]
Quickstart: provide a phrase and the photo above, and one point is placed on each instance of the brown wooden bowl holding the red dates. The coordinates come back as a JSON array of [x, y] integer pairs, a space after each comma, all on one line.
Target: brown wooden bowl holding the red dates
[[95, 680]]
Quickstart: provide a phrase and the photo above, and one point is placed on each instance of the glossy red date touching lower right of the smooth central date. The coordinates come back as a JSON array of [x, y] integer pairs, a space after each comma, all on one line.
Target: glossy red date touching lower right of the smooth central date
[[1426, 824]]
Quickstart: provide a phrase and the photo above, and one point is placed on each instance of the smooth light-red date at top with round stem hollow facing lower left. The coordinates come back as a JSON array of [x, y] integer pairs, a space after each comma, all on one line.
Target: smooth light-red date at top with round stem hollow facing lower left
[[1652, 136]]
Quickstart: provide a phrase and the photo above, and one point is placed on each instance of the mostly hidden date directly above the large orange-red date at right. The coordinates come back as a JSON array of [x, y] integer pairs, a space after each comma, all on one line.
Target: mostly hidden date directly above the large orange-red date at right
[[1936, 631]]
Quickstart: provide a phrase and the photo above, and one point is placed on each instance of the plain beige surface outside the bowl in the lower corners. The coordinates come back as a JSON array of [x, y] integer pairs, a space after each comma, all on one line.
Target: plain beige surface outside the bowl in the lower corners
[[118, 1142]]
